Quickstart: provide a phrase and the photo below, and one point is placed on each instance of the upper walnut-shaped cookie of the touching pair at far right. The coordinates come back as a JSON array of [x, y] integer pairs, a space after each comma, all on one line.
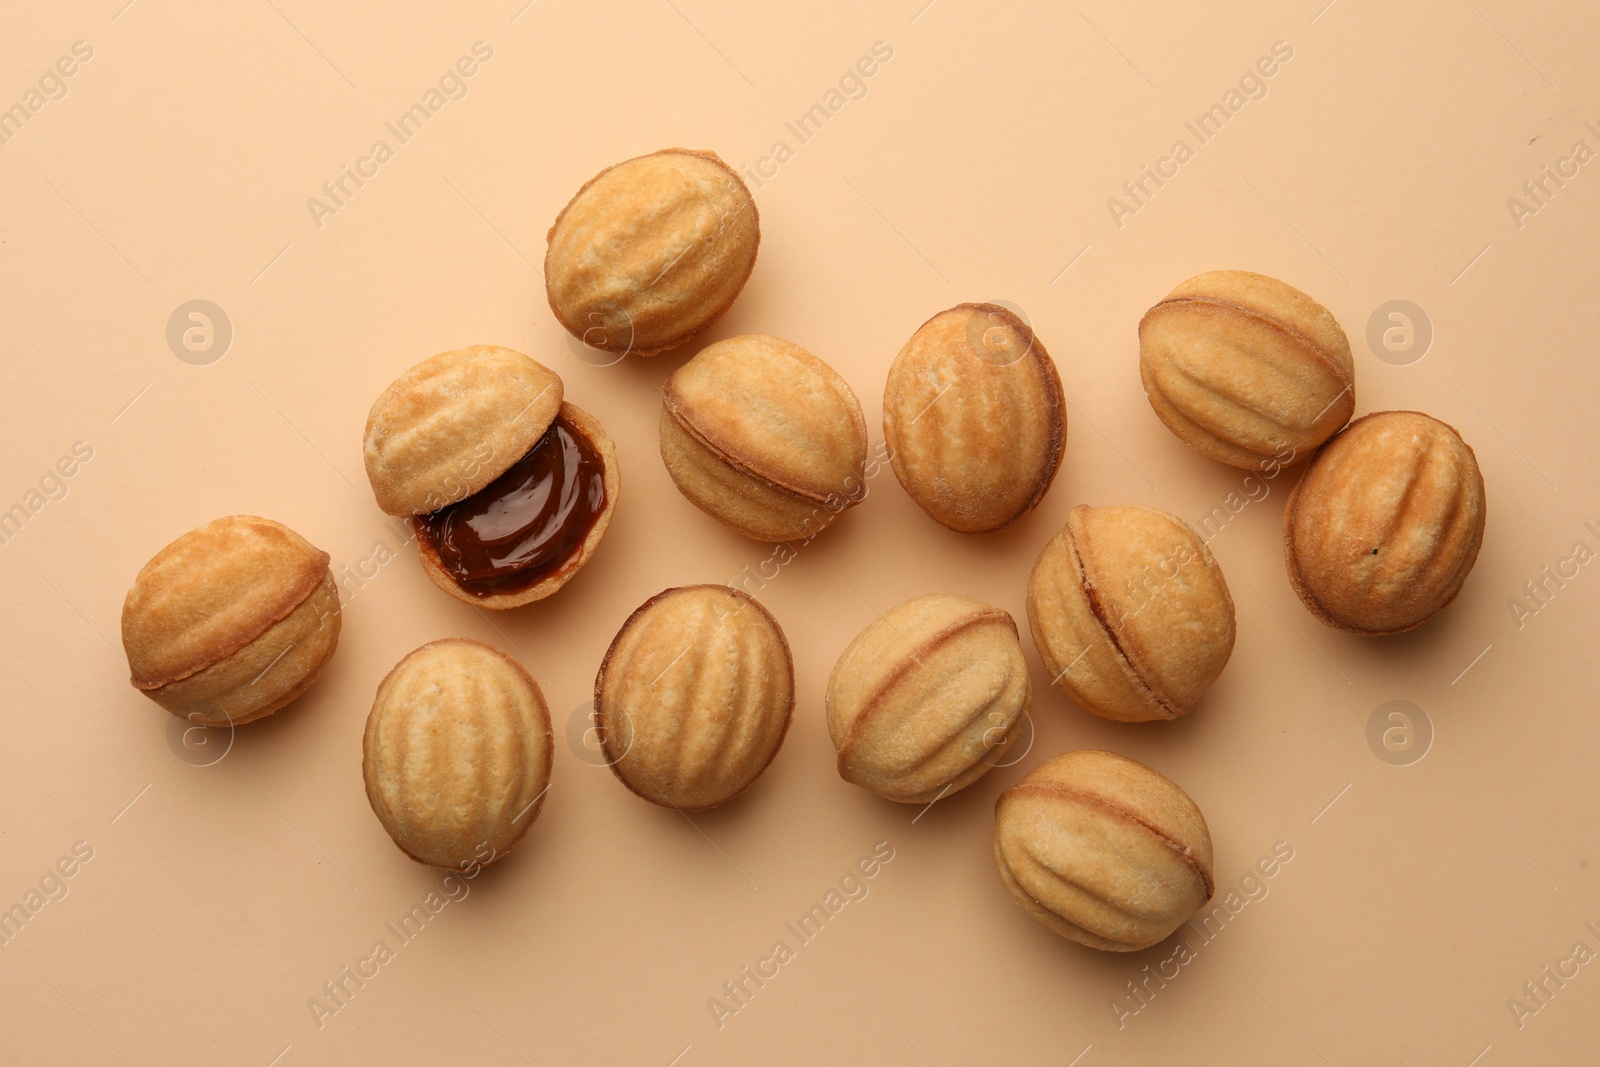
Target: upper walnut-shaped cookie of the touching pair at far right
[[1246, 369]]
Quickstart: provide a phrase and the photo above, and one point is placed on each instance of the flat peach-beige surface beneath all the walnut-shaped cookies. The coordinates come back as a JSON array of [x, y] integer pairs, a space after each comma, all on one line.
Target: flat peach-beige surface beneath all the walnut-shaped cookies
[[978, 166]]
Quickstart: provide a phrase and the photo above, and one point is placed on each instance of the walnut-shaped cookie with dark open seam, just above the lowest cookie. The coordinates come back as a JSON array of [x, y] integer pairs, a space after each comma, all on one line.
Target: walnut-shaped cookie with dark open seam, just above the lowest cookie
[[1130, 613]]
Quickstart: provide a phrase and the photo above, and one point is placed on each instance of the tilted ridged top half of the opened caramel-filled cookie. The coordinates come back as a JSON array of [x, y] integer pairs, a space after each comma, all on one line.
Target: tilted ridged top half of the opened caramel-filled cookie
[[454, 423]]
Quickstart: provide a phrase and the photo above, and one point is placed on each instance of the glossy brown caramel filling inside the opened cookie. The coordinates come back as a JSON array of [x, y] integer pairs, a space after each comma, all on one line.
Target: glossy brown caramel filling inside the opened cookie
[[526, 526]]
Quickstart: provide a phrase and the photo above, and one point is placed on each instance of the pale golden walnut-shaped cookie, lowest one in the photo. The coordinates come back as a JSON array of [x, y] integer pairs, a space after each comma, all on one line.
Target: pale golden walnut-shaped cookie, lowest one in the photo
[[1103, 850]]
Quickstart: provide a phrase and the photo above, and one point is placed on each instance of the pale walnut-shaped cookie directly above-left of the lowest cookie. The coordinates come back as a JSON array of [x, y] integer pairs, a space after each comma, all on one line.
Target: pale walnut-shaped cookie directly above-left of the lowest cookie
[[929, 698]]
